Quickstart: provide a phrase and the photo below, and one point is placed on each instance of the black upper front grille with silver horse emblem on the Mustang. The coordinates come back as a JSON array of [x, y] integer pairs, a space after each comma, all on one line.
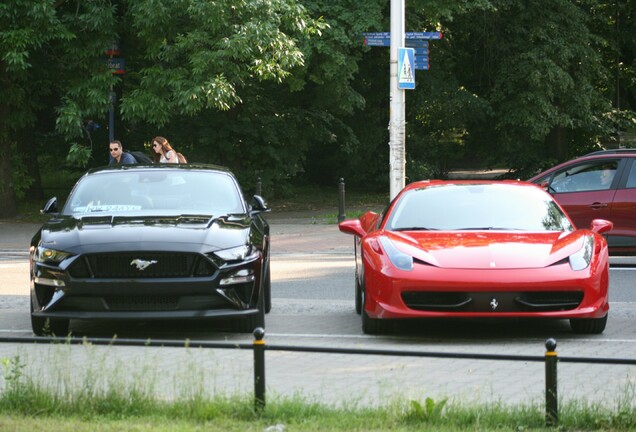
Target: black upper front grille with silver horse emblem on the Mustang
[[141, 265]]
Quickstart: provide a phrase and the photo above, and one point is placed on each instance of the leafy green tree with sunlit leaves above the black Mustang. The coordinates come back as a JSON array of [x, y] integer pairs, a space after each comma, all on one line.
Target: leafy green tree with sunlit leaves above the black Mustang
[[186, 57]]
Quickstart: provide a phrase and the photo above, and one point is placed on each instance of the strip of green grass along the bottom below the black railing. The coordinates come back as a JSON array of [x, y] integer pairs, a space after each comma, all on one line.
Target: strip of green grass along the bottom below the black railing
[[296, 414]]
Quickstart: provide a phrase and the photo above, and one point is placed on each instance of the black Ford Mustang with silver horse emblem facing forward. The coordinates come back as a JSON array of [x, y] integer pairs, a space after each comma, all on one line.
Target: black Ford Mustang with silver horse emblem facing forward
[[152, 242]]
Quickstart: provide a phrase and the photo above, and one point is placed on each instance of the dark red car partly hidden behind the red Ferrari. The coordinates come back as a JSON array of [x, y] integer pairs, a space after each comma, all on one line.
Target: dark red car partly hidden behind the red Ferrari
[[598, 185]]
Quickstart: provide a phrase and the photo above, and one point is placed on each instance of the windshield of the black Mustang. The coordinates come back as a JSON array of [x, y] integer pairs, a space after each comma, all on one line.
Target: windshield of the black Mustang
[[155, 191]]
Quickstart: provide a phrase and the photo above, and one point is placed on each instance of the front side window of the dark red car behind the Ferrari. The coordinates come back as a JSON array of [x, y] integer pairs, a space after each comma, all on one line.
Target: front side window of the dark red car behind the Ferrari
[[589, 176]]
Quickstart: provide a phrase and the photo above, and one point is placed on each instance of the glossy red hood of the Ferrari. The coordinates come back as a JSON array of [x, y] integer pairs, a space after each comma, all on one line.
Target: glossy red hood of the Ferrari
[[482, 250]]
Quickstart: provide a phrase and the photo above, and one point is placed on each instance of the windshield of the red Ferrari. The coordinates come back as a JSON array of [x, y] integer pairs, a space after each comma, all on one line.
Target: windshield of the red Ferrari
[[477, 207]]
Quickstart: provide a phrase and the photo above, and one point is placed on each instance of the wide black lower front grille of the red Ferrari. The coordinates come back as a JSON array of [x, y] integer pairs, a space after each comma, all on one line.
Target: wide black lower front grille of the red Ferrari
[[530, 301]]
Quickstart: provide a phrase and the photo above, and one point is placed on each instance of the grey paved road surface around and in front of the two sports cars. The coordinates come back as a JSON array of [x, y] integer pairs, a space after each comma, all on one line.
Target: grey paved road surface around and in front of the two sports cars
[[312, 277]]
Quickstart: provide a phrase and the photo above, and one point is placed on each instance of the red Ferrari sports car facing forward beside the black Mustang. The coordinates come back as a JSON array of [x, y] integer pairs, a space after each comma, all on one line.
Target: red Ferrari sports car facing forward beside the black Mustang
[[479, 249]]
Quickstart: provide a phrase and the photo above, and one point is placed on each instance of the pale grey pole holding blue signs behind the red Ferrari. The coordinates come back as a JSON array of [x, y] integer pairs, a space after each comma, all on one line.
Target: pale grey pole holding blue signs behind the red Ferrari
[[397, 121]]
